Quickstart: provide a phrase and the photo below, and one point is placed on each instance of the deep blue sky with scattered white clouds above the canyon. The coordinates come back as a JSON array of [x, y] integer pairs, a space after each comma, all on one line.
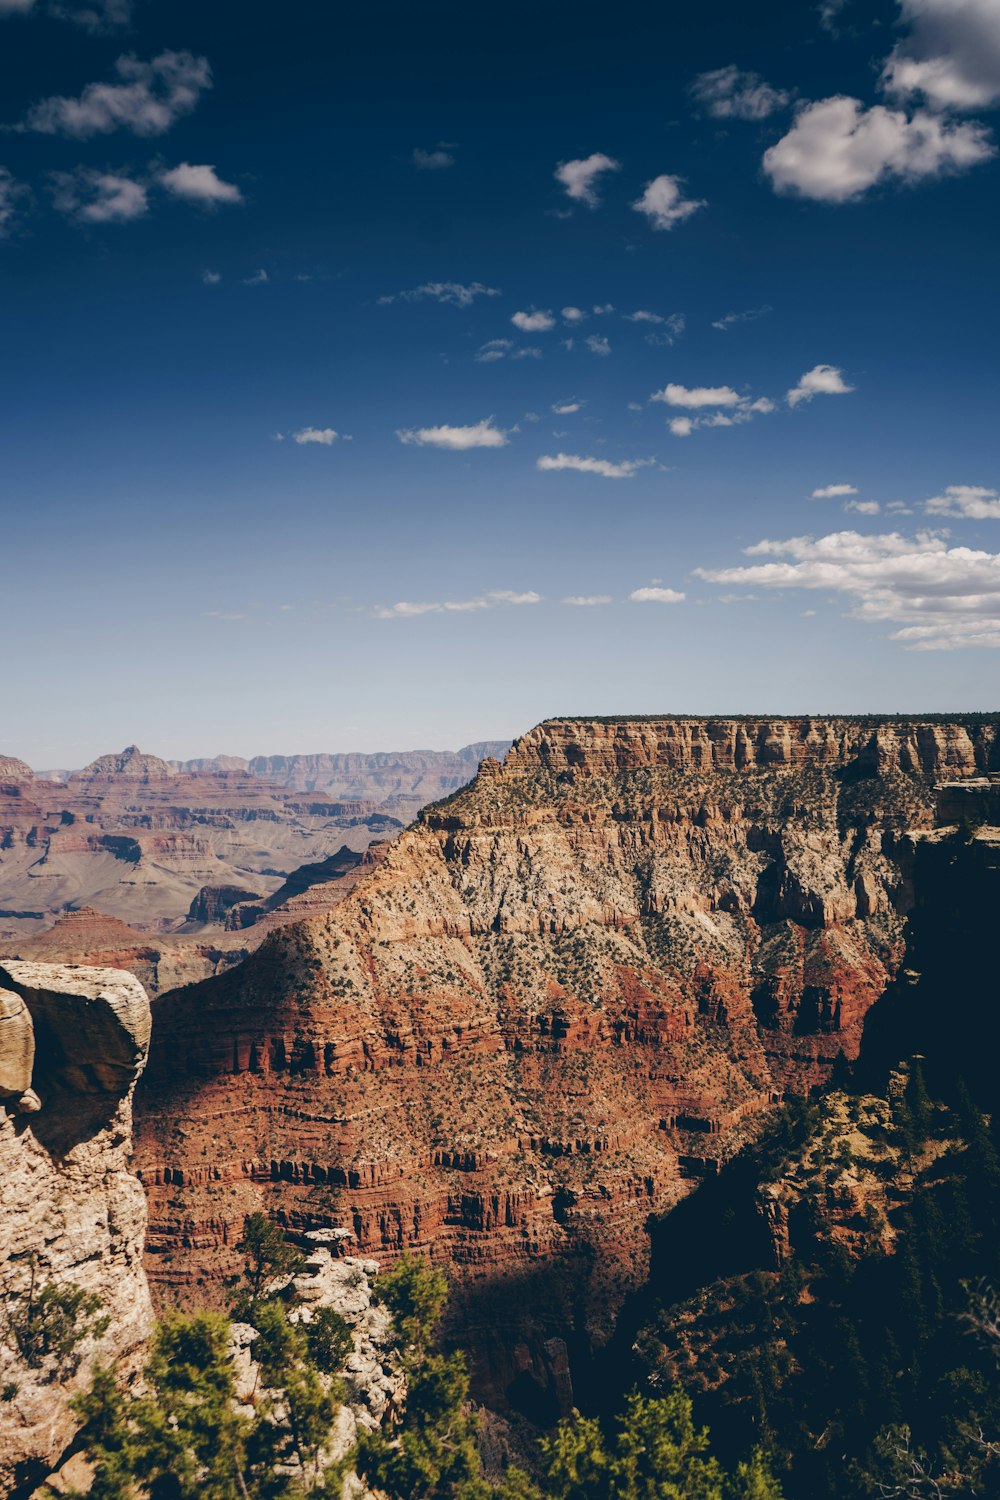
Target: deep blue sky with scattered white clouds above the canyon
[[404, 377]]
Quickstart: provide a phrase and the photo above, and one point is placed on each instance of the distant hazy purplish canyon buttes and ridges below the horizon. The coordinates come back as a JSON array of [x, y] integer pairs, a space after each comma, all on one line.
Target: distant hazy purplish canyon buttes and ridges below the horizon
[[139, 839]]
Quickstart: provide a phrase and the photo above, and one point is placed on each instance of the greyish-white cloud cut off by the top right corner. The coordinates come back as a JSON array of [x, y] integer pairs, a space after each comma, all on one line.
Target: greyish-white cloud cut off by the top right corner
[[951, 58]]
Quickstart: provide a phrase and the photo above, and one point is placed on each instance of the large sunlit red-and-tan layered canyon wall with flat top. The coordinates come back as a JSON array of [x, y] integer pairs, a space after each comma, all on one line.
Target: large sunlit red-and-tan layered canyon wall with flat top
[[563, 998]]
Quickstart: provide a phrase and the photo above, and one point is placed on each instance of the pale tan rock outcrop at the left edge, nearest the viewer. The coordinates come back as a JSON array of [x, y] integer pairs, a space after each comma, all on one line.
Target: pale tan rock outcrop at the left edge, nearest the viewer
[[73, 1043]]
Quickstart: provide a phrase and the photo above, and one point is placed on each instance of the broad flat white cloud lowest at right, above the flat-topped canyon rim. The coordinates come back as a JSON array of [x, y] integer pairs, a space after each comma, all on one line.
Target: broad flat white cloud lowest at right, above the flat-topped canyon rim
[[941, 598]]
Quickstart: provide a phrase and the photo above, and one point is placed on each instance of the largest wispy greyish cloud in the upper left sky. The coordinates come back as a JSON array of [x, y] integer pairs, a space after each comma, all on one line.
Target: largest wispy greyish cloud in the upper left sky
[[148, 101]]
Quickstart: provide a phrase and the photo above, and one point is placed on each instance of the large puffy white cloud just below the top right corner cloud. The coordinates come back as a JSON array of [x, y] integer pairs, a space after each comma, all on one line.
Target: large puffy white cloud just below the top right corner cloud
[[837, 151]]
